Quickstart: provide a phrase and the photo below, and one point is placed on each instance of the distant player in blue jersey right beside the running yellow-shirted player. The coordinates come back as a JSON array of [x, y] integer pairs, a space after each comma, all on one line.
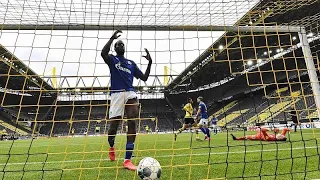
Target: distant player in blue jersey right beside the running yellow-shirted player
[[203, 116]]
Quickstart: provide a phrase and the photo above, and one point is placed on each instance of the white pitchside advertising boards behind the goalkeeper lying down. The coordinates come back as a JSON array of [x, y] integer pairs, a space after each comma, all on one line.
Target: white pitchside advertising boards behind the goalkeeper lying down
[[305, 125]]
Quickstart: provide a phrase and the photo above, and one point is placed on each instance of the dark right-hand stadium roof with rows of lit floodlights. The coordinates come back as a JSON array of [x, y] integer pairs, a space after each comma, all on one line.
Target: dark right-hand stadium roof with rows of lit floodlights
[[205, 71]]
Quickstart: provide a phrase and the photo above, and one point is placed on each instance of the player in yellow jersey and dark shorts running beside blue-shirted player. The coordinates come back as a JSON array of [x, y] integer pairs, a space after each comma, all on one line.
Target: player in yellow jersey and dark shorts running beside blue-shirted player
[[188, 119]]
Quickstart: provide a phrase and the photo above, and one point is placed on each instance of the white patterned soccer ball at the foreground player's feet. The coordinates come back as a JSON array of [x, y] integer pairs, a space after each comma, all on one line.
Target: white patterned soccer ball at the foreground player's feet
[[149, 169]]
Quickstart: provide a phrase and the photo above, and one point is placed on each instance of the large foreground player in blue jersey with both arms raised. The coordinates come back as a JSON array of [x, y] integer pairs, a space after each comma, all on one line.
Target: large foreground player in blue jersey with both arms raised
[[123, 96]]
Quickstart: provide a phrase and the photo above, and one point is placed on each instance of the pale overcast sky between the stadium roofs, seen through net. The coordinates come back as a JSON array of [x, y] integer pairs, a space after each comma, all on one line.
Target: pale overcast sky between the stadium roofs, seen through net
[[77, 53]]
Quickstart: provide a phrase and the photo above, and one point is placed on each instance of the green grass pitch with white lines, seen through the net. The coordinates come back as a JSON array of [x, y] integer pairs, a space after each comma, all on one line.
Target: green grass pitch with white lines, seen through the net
[[87, 158]]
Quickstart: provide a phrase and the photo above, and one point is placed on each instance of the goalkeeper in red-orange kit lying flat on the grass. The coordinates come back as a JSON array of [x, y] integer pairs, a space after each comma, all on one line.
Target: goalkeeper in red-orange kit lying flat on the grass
[[263, 135]]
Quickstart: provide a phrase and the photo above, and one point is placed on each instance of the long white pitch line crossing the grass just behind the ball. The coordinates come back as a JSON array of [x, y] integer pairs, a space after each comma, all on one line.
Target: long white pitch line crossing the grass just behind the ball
[[165, 156]]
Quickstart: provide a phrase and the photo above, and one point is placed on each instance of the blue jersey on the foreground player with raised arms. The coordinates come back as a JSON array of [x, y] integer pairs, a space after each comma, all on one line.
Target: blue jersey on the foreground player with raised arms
[[122, 72]]
